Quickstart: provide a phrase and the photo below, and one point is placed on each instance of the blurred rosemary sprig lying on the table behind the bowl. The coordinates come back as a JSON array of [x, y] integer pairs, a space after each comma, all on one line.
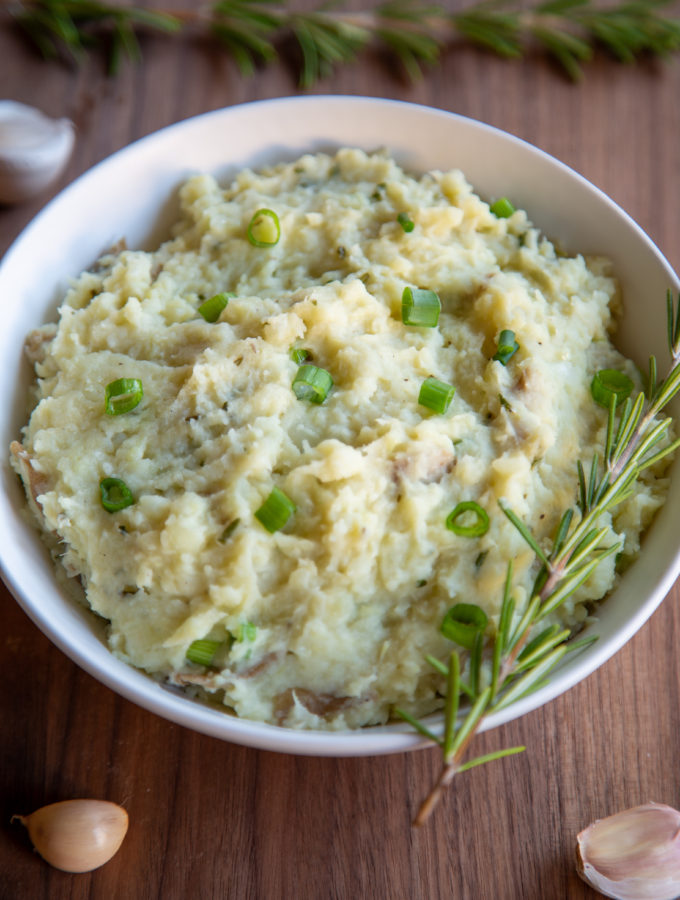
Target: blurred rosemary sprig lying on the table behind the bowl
[[415, 32]]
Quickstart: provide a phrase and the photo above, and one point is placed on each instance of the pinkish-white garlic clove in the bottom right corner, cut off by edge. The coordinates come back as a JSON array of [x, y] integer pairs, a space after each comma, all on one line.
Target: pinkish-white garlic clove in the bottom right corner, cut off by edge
[[634, 854]]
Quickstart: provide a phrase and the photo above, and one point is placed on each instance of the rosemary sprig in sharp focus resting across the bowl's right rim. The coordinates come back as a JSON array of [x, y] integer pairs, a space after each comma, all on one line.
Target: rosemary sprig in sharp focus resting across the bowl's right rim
[[519, 658]]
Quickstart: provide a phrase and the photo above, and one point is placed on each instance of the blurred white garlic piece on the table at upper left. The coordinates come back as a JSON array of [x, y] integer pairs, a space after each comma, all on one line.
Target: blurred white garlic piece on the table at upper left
[[34, 150]]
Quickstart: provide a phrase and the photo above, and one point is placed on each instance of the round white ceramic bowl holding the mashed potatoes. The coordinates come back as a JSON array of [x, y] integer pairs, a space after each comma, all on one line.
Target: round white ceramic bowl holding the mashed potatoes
[[130, 195]]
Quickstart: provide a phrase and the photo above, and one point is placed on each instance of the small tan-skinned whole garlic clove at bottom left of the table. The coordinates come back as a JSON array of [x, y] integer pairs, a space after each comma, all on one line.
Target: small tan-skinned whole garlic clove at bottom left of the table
[[77, 835]]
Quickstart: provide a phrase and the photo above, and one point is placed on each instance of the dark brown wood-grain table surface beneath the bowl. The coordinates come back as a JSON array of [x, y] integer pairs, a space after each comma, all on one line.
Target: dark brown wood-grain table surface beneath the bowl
[[210, 819]]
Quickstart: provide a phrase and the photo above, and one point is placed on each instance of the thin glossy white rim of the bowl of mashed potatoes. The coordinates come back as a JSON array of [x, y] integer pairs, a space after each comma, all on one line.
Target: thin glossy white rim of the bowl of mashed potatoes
[[372, 740]]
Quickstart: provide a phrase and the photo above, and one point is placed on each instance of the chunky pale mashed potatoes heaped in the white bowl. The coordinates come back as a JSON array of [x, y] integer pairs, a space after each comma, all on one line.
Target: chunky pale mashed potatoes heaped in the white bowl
[[325, 622]]
